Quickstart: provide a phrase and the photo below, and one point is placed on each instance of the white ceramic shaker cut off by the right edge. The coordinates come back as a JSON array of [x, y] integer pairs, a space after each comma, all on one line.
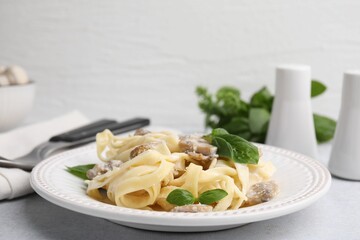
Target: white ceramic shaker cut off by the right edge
[[345, 156]]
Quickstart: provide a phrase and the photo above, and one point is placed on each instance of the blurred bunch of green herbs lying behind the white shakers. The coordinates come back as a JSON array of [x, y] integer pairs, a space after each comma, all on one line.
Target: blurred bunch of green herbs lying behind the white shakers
[[250, 120]]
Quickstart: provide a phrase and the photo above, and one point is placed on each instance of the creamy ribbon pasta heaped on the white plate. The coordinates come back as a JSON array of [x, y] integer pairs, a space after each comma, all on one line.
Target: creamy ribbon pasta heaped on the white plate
[[150, 165]]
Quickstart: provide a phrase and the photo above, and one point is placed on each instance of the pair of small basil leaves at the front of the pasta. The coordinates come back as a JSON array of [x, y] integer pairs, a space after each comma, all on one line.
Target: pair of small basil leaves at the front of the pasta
[[181, 197]]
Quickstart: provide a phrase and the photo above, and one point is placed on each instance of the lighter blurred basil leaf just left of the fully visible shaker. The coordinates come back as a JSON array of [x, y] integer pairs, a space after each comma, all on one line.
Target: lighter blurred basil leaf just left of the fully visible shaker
[[258, 119]]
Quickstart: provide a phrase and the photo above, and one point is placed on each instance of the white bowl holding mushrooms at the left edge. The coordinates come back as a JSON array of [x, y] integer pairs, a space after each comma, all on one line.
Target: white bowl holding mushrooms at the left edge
[[16, 102]]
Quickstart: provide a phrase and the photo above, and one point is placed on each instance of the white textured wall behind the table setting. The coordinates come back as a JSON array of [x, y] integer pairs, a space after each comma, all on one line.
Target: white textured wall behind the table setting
[[125, 58]]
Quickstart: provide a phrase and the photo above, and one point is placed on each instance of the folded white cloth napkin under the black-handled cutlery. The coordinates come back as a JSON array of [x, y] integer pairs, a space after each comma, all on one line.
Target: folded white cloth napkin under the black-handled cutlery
[[15, 182]]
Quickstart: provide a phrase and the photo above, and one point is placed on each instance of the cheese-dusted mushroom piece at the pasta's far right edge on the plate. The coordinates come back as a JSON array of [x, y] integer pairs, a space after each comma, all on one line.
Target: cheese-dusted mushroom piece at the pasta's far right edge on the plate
[[262, 192]]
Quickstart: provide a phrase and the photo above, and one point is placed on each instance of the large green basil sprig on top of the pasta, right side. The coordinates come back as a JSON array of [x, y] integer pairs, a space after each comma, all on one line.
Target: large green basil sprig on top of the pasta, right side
[[233, 147]]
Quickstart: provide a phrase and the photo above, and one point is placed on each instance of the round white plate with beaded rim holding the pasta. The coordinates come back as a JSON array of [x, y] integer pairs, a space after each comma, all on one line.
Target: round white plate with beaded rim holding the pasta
[[301, 179]]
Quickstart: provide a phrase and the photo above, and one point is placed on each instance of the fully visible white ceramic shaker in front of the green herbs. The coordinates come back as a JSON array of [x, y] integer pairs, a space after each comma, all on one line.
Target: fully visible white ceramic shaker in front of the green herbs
[[291, 125]]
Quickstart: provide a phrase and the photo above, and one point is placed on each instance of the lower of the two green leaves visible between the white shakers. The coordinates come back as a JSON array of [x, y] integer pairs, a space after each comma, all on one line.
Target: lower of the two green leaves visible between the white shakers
[[324, 128]]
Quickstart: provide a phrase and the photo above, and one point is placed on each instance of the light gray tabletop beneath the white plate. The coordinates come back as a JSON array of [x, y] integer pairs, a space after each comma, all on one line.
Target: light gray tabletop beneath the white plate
[[334, 216]]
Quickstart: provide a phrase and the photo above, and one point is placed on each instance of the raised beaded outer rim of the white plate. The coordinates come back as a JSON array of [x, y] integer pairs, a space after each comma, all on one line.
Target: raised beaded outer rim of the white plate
[[185, 222]]
